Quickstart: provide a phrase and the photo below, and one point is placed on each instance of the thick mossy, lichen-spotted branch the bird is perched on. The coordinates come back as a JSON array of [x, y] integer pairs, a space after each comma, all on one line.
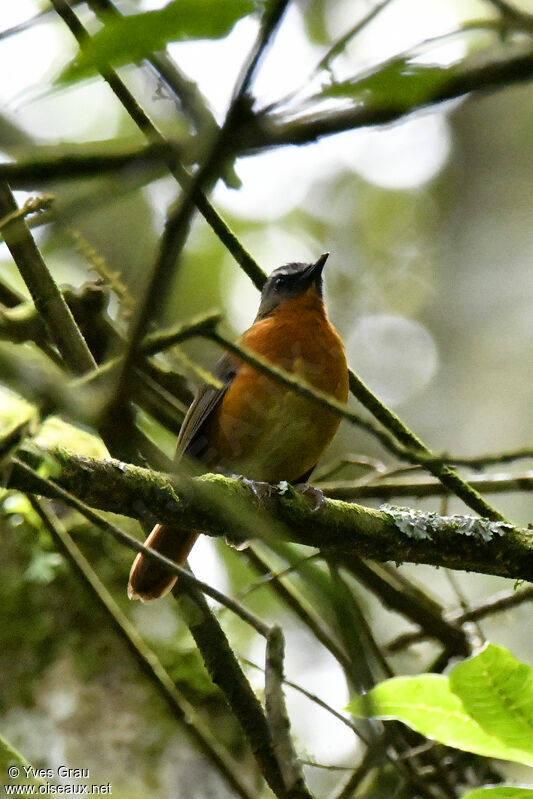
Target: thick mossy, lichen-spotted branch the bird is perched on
[[219, 505]]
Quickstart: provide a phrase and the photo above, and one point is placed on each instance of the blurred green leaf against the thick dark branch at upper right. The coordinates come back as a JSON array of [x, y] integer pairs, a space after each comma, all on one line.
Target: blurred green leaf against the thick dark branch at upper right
[[399, 84]]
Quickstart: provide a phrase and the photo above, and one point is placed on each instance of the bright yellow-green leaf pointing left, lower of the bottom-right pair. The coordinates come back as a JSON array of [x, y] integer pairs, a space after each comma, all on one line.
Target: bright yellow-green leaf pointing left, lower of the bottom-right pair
[[428, 705]]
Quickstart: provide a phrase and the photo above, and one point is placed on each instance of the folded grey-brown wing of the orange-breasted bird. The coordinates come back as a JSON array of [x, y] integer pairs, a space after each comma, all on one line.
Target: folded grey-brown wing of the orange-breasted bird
[[204, 403]]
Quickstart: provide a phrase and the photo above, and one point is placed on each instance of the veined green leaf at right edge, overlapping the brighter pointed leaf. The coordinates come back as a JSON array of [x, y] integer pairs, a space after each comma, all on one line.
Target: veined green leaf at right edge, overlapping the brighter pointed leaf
[[496, 690]]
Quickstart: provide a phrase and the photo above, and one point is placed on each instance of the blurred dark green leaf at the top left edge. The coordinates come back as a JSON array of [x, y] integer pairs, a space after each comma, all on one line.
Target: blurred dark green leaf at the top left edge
[[125, 40]]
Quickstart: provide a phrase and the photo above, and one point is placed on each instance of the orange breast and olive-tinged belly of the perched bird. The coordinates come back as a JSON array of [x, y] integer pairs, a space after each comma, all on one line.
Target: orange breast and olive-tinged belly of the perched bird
[[264, 430]]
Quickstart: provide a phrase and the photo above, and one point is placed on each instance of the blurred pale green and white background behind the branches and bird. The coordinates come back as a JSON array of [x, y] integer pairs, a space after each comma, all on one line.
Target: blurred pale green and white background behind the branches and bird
[[429, 226]]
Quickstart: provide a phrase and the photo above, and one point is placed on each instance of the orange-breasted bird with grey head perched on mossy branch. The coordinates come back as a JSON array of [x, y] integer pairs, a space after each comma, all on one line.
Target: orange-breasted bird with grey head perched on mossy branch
[[252, 425]]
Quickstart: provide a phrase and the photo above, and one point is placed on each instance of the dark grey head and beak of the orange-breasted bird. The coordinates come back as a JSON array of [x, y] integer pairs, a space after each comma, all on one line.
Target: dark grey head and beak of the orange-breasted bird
[[290, 281]]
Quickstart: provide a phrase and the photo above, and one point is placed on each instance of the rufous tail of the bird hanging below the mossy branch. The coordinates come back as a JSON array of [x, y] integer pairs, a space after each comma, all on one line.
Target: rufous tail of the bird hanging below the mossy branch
[[149, 579]]
